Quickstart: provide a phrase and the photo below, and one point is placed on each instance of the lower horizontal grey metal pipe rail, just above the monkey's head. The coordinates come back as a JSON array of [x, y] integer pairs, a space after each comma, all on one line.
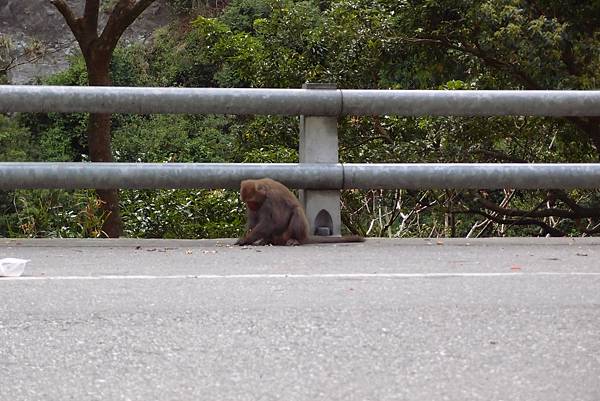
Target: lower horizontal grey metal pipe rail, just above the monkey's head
[[317, 176]]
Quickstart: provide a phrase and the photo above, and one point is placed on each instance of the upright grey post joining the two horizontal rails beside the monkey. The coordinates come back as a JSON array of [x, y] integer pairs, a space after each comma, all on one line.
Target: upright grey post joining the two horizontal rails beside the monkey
[[319, 144]]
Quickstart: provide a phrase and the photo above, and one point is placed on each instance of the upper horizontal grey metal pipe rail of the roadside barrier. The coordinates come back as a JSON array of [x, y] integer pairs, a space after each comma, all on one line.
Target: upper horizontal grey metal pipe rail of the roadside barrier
[[310, 102]]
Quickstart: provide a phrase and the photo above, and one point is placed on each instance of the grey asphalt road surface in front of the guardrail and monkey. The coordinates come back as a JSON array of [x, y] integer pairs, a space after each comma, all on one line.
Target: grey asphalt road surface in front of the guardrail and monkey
[[514, 319]]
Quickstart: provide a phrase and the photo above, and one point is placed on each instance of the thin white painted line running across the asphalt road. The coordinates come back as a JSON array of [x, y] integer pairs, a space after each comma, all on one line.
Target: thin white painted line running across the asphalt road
[[297, 276]]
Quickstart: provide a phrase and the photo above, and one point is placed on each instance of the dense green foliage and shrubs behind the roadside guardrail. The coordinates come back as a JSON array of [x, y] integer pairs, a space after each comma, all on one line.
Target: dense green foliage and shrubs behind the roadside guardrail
[[379, 44]]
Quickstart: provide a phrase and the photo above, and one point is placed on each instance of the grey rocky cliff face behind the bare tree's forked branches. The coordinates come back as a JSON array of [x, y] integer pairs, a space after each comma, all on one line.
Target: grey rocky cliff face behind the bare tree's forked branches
[[24, 21]]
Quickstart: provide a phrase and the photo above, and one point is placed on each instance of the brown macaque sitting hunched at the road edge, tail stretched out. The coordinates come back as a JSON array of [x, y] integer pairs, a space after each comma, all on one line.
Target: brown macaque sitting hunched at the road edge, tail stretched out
[[276, 217]]
